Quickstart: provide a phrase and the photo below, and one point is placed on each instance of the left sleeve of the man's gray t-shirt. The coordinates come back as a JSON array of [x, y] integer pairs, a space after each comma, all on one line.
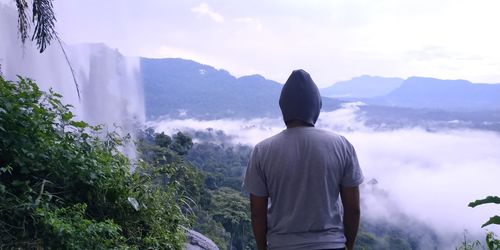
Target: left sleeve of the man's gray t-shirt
[[255, 180]]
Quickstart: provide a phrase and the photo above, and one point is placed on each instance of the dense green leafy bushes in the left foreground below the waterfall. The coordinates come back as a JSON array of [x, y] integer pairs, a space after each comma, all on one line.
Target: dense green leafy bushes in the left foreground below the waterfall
[[64, 184]]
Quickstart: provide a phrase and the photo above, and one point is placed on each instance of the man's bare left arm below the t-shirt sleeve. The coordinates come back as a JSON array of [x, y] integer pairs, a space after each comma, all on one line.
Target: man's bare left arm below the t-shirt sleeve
[[258, 208]]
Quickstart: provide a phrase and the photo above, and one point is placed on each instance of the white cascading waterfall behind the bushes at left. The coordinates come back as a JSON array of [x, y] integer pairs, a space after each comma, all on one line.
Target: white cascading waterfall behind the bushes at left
[[109, 83]]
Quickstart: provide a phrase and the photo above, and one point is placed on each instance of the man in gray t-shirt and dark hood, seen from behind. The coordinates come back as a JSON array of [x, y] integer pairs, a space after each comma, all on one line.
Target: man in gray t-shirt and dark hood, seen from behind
[[295, 178]]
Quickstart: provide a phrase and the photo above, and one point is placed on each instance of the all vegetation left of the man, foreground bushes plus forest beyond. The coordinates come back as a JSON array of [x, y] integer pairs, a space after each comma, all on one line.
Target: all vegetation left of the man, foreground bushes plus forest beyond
[[65, 185]]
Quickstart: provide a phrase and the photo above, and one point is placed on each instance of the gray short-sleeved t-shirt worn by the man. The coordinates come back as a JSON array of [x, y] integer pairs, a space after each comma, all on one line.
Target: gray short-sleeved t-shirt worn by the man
[[301, 170]]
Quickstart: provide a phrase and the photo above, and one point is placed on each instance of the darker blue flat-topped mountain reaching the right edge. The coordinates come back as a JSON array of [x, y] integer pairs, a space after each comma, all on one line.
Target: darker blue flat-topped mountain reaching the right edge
[[454, 95]]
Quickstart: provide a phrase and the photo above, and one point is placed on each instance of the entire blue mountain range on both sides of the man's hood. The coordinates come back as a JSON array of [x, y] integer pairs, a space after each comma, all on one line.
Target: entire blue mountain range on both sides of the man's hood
[[184, 89]]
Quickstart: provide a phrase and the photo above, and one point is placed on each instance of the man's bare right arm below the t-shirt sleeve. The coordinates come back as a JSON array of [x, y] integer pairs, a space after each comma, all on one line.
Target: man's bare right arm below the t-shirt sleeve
[[352, 211]]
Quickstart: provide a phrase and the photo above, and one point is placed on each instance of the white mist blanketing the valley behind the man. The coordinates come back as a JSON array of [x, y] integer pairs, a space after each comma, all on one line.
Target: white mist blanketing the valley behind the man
[[429, 176]]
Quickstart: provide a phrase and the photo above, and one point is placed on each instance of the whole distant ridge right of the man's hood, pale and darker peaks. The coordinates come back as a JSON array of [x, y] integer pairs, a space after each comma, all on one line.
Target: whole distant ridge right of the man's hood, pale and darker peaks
[[418, 93]]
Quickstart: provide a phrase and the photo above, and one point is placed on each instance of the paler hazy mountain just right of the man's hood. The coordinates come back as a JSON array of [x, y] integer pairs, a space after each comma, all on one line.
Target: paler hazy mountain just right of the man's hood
[[362, 87]]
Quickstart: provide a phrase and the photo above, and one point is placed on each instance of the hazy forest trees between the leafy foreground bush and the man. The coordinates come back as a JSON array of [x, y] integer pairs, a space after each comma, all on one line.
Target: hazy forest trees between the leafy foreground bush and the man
[[222, 165]]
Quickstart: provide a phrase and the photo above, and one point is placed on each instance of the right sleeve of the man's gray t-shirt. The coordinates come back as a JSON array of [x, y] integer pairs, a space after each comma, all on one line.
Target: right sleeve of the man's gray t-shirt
[[352, 175]]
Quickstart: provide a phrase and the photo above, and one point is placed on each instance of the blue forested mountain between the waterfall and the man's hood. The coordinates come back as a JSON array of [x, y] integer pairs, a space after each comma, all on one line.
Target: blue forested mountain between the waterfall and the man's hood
[[184, 88]]
